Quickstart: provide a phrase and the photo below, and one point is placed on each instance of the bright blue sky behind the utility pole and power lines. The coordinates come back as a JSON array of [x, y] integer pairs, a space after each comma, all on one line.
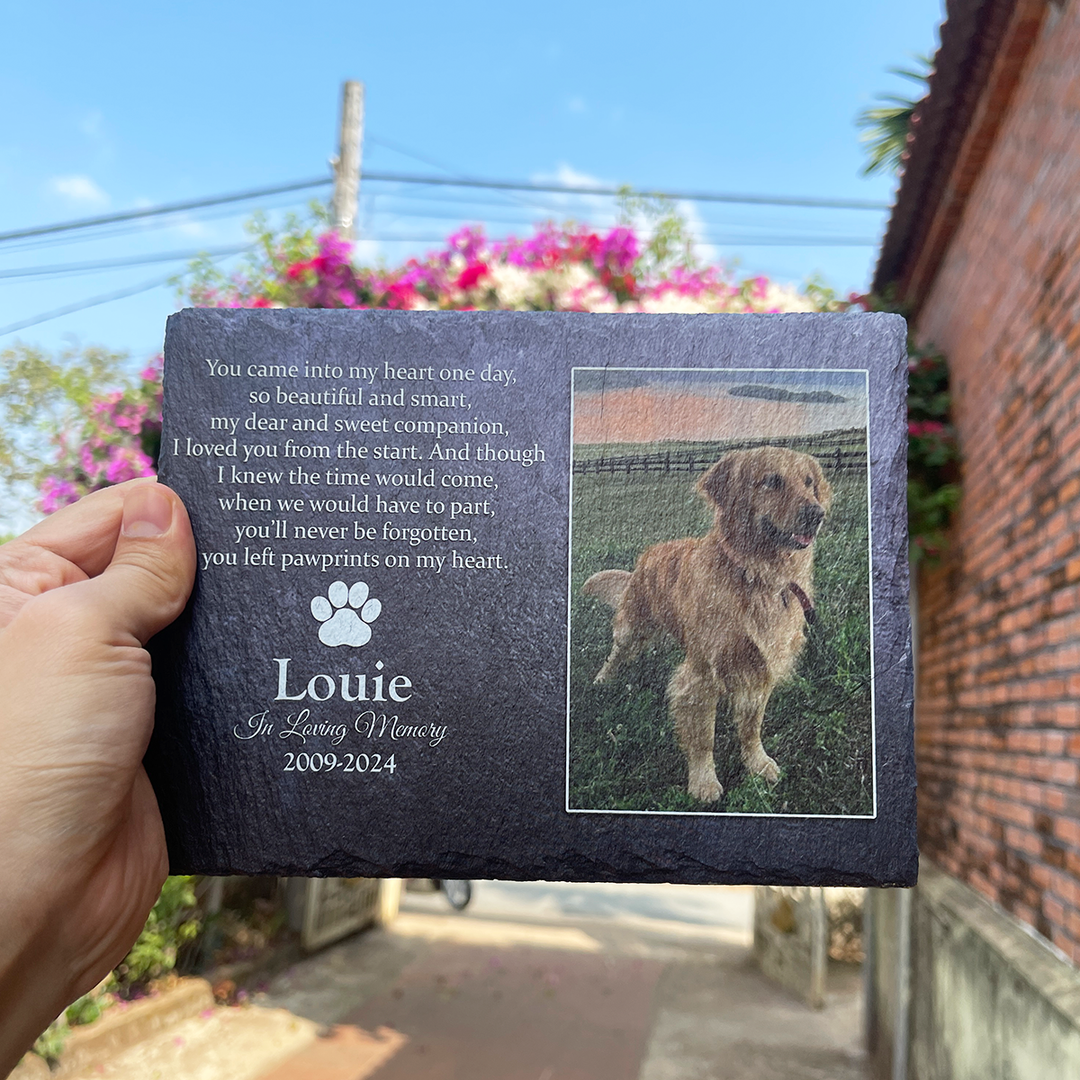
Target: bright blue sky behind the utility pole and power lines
[[113, 106]]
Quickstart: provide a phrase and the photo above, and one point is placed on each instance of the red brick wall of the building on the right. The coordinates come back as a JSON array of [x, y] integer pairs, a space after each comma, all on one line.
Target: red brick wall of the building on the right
[[998, 711]]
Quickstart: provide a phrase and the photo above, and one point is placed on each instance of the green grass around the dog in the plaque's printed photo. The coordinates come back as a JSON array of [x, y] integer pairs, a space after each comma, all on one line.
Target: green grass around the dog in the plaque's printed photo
[[624, 754]]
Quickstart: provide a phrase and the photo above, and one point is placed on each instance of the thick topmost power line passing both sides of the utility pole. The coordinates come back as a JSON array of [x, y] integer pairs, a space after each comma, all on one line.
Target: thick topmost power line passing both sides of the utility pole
[[803, 201]]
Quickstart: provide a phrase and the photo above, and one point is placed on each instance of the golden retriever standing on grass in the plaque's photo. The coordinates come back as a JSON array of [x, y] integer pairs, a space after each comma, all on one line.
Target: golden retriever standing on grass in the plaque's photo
[[736, 600]]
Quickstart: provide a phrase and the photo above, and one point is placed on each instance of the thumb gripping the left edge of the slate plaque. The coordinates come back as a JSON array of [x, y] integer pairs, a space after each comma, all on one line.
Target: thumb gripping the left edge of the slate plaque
[[150, 578]]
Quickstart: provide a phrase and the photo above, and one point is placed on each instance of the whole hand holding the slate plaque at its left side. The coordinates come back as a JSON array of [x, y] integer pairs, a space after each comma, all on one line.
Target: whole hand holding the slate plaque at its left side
[[83, 854]]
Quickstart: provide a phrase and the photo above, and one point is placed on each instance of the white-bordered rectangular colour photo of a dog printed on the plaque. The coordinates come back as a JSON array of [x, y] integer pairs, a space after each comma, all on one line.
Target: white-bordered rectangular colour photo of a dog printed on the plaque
[[720, 593]]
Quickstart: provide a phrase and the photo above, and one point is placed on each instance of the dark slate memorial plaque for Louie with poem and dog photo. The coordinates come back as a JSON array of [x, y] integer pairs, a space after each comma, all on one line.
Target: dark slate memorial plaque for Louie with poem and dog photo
[[539, 596]]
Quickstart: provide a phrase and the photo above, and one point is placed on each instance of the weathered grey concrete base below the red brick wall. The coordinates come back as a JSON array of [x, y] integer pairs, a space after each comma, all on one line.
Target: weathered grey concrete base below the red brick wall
[[990, 1001]]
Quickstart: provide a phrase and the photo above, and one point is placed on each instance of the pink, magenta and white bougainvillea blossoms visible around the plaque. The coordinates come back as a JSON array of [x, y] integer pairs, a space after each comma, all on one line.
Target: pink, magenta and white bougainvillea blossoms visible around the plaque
[[559, 268]]
